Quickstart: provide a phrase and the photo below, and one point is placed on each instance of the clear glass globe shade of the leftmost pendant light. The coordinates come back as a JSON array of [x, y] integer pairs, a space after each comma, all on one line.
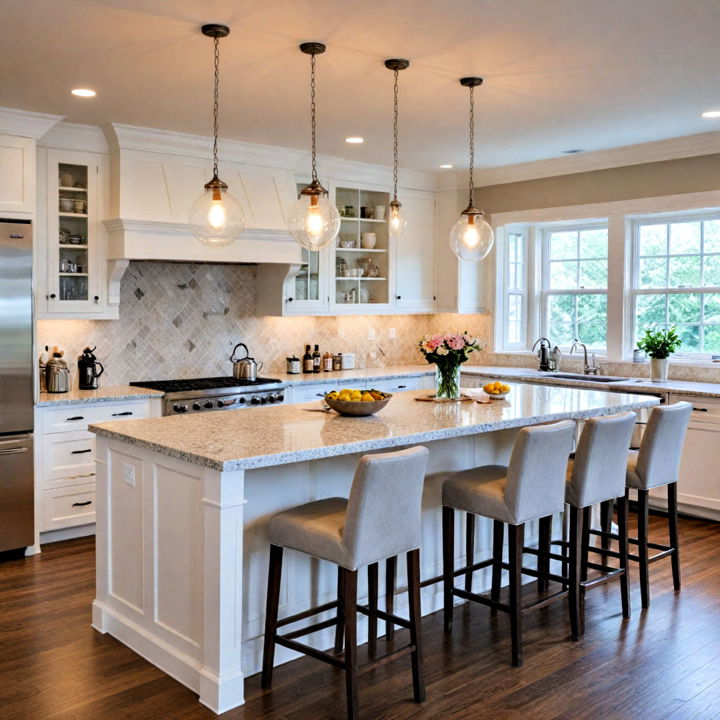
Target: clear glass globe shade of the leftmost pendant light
[[216, 217]]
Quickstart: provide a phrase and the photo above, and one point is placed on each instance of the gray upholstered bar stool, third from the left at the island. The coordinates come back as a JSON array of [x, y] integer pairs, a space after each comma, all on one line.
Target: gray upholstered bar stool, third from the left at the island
[[596, 474]]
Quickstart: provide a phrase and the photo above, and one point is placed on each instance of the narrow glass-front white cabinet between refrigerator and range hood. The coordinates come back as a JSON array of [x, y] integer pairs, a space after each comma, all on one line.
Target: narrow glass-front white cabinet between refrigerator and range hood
[[73, 283]]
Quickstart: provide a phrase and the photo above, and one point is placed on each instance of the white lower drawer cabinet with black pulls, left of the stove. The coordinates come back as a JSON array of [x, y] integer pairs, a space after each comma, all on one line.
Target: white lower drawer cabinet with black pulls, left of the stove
[[65, 459]]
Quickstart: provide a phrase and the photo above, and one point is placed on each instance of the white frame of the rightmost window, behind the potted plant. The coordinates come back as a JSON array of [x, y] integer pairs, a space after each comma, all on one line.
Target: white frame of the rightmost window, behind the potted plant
[[635, 291]]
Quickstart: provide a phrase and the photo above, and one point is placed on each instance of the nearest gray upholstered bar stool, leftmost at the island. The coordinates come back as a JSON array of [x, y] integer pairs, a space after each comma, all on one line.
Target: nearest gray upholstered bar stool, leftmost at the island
[[362, 530]]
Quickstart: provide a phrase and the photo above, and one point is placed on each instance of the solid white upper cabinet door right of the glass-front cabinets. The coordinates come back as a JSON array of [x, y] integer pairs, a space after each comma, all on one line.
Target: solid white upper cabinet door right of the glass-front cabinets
[[415, 255]]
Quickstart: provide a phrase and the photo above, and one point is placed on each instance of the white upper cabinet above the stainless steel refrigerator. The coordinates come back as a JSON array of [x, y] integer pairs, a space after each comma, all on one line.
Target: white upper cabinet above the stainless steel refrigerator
[[17, 179]]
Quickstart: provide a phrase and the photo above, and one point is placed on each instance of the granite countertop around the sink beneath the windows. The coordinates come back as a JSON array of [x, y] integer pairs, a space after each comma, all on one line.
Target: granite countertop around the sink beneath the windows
[[632, 385]]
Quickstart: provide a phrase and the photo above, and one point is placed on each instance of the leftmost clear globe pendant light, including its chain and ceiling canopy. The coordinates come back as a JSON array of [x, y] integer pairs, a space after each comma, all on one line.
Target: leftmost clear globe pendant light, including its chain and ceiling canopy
[[216, 217]]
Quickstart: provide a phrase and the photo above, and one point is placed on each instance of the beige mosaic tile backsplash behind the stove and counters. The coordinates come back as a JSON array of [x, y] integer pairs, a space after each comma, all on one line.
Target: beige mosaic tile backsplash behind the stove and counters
[[181, 320]]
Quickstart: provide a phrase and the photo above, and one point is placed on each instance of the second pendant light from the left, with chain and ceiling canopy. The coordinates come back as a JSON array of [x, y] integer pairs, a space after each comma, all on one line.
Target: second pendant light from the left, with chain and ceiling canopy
[[313, 220]]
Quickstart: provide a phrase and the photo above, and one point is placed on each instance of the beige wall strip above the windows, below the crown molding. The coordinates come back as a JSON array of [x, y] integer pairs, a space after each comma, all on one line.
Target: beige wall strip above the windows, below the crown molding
[[670, 177]]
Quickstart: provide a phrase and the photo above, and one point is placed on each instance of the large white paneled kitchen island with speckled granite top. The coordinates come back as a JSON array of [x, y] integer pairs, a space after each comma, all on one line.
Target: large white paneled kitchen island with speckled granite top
[[183, 504]]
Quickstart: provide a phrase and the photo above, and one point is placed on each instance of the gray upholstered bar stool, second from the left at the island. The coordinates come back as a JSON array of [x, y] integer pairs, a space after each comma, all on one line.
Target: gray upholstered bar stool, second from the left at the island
[[532, 486]]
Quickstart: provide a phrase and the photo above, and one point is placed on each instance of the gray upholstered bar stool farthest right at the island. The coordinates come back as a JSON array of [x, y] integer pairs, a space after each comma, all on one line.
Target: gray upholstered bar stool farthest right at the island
[[656, 464]]
